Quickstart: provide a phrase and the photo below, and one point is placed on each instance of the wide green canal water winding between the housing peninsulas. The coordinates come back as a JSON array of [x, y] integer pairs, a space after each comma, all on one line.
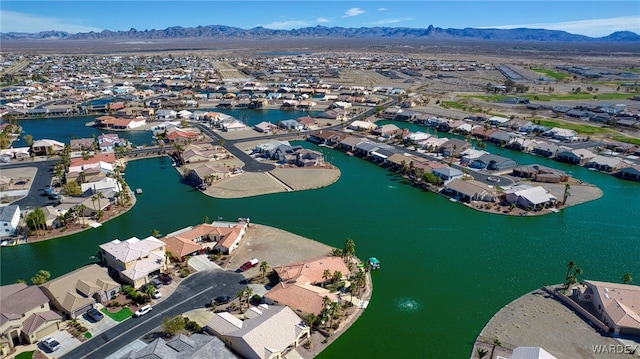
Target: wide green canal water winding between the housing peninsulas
[[446, 269]]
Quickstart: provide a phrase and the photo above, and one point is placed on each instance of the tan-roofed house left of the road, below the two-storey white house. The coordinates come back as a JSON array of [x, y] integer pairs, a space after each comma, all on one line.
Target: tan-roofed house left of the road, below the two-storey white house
[[76, 292]]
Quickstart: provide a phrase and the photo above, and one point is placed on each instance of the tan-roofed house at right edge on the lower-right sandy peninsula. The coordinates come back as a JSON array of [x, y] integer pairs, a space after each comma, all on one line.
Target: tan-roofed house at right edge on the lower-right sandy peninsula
[[616, 305]]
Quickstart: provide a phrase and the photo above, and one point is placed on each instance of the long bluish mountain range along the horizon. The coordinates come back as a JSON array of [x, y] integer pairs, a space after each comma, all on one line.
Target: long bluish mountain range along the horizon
[[431, 32]]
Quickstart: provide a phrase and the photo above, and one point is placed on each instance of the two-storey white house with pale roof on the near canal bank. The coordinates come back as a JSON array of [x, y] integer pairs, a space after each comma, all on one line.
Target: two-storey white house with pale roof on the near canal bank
[[135, 260]]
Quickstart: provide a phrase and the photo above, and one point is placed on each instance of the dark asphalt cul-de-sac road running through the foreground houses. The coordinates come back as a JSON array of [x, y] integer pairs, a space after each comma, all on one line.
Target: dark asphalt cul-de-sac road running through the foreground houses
[[194, 292]]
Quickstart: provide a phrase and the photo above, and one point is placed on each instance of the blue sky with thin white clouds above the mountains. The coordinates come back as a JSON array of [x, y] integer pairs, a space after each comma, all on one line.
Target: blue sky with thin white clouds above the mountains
[[591, 18]]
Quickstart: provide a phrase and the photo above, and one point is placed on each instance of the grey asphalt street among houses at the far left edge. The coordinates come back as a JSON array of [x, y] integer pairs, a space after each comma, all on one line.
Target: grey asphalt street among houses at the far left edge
[[35, 197]]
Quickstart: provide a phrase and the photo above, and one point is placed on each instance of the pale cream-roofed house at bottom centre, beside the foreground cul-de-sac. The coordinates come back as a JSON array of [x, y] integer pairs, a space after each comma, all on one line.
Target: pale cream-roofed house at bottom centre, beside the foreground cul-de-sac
[[269, 331]]
